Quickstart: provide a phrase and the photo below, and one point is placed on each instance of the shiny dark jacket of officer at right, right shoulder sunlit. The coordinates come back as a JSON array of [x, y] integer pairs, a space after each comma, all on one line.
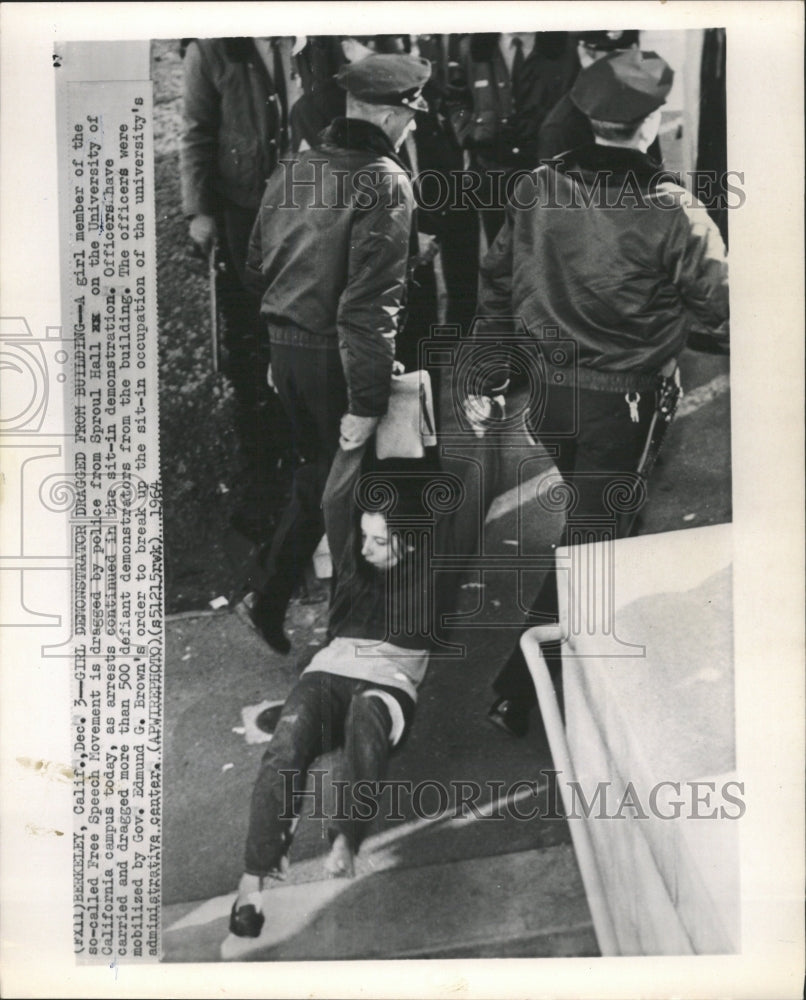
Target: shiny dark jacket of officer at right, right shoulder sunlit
[[615, 255]]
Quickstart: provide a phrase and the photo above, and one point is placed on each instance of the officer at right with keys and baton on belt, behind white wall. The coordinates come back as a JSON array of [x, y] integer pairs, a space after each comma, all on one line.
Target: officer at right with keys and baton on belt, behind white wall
[[624, 263]]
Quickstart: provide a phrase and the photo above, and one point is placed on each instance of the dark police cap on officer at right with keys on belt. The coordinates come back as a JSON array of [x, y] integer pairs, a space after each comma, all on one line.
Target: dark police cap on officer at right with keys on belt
[[624, 87]]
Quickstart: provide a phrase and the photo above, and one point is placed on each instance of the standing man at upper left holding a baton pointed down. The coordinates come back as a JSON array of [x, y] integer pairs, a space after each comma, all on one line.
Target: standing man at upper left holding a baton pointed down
[[237, 95]]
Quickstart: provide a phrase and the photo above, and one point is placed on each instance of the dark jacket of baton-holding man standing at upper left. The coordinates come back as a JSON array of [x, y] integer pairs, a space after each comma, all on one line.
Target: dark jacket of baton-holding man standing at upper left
[[233, 129]]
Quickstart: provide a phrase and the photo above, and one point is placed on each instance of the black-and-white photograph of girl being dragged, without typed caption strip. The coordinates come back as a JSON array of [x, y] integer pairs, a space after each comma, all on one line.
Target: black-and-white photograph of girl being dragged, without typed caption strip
[[534, 225]]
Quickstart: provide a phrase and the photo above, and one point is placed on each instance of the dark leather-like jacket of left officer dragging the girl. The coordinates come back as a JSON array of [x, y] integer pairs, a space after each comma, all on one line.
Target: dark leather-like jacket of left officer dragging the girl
[[330, 249]]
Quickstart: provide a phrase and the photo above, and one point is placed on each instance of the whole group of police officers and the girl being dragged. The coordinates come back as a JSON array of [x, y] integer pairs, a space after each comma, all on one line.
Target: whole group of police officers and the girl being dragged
[[361, 191]]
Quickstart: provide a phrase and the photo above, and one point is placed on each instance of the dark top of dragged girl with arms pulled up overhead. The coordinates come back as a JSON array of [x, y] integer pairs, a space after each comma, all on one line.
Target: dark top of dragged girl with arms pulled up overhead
[[439, 512]]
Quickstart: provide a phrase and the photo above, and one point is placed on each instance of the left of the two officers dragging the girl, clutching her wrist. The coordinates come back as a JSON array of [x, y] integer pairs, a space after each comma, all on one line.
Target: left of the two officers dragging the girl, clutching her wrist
[[329, 252]]
